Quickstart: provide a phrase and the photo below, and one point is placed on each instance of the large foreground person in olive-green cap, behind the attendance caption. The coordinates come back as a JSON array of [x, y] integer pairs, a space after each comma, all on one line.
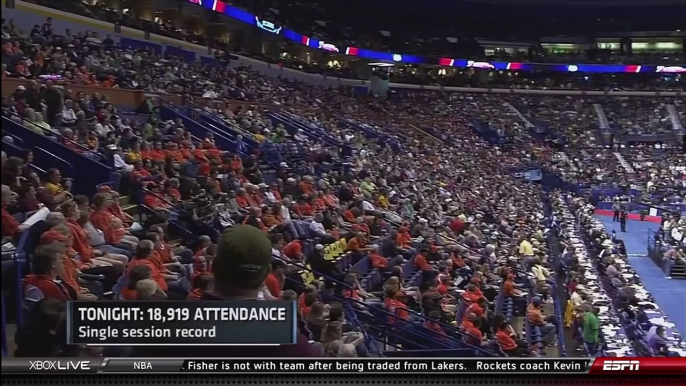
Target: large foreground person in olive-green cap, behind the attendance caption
[[242, 263]]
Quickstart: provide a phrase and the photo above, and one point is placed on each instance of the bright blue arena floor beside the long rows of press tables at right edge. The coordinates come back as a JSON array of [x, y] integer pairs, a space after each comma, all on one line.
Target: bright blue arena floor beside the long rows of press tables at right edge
[[670, 295]]
